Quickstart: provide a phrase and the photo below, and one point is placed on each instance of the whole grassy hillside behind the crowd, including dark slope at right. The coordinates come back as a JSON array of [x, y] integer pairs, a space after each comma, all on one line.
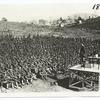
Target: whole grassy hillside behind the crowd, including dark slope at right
[[21, 28]]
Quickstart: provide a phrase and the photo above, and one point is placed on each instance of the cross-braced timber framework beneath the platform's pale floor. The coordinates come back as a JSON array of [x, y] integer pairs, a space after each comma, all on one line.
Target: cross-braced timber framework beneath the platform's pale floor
[[83, 80]]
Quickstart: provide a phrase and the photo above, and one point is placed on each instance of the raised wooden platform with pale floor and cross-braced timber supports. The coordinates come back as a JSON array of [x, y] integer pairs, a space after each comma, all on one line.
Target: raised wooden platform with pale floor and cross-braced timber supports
[[85, 78]]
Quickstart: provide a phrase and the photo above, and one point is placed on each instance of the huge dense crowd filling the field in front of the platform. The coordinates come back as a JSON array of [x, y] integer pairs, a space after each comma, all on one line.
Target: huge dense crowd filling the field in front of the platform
[[25, 58]]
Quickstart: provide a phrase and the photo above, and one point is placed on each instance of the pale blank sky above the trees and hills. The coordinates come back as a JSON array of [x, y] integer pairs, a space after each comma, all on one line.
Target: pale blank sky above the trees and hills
[[27, 10]]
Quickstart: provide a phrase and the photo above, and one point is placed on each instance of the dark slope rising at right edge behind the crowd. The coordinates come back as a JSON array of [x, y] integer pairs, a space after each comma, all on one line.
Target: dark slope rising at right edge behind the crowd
[[91, 25]]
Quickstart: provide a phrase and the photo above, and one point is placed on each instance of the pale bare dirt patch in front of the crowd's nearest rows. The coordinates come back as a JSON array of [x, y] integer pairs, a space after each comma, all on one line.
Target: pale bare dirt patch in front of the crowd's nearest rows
[[37, 86]]
